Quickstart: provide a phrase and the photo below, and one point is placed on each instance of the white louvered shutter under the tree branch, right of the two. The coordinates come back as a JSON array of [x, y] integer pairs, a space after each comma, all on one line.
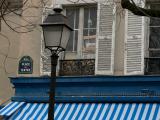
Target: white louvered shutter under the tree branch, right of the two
[[134, 44]]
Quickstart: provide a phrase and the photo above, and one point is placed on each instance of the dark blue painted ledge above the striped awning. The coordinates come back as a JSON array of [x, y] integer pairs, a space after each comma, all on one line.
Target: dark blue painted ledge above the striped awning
[[89, 89]]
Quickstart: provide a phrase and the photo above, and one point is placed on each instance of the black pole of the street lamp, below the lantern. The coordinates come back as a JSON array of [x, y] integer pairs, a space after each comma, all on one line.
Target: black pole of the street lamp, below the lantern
[[54, 59]]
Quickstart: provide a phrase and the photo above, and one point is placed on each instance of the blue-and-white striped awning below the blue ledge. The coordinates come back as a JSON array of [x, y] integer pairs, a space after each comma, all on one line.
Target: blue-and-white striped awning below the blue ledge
[[84, 111]]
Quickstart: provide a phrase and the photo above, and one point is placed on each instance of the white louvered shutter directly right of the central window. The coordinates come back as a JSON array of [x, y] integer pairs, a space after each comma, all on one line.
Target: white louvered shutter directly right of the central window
[[105, 40]]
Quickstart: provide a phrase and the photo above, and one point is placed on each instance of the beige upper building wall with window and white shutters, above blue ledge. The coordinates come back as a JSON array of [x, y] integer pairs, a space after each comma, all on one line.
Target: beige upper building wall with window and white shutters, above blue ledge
[[107, 40]]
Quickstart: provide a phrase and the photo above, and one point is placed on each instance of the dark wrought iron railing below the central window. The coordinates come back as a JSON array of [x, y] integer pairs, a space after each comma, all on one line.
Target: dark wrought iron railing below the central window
[[77, 67]]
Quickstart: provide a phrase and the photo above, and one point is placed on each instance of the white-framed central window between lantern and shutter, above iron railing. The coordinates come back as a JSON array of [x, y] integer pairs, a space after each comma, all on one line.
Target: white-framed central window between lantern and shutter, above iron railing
[[83, 38]]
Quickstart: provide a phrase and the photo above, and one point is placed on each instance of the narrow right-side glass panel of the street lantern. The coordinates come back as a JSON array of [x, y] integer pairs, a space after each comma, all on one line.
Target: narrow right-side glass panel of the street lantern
[[65, 37]]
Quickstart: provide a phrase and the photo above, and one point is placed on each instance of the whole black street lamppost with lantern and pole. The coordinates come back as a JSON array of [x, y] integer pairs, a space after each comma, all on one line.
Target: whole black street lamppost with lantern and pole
[[56, 32]]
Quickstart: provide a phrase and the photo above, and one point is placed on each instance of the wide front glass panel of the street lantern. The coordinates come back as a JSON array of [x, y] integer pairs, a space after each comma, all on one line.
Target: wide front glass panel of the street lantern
[[52, 35]]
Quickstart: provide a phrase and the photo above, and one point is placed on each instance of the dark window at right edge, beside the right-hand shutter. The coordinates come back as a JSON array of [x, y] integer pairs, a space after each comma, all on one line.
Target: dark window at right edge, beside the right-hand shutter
[[152, 62]]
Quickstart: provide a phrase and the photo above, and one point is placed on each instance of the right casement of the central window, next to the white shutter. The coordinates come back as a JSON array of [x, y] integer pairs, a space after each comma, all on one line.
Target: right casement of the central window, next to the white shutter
[[89, 31]]
